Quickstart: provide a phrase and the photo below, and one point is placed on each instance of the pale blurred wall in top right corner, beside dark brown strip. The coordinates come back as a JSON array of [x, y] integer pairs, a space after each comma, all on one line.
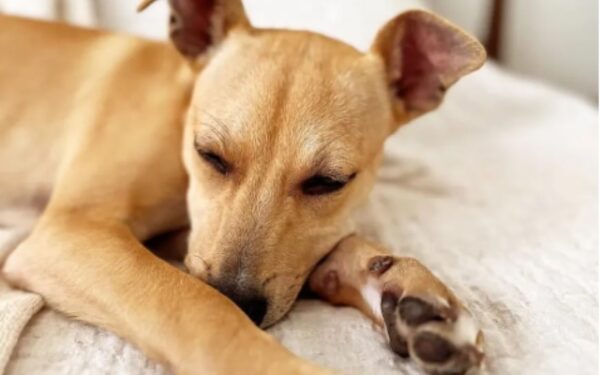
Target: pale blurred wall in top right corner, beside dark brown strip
[[555, 40]]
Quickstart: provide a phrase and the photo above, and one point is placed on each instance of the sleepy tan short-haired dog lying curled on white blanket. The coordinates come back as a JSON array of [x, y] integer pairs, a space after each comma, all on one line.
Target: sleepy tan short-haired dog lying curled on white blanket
[[262, 142]]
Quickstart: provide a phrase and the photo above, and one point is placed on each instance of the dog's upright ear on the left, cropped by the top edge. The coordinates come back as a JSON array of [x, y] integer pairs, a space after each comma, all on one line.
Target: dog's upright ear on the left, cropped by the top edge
[[197, 25]]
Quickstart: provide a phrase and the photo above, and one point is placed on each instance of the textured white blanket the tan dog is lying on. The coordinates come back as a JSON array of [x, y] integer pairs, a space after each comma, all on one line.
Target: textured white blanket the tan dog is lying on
[[495, 191]]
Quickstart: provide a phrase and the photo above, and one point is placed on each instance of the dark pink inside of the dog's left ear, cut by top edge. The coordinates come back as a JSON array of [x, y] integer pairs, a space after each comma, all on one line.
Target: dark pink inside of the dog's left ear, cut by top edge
[[190, 25]]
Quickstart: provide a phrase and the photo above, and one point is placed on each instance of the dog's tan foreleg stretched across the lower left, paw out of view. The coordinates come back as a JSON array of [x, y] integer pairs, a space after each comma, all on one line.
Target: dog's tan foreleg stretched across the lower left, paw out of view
[[98, 272]]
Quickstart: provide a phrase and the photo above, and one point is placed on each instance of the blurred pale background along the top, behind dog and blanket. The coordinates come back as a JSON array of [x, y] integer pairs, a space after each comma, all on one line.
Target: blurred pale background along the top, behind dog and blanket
[[551, 40]]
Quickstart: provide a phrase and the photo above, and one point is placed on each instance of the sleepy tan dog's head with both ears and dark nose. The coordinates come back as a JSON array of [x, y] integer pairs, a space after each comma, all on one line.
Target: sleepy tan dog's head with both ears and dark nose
[[284, 135]]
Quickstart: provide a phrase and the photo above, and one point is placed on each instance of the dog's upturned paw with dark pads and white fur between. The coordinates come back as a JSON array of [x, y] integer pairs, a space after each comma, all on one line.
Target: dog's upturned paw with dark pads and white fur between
[[437, 333]]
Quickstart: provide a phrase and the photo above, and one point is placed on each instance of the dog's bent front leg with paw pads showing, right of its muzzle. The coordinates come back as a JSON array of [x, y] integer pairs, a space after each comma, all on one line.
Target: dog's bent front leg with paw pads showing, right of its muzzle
[[422, 317]]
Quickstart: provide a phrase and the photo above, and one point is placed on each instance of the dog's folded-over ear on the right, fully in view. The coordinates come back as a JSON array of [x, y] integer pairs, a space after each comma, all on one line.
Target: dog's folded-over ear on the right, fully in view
[[423, 56]]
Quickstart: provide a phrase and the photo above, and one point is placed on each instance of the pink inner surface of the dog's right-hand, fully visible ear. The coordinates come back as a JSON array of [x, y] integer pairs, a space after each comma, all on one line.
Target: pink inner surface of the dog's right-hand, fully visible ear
[[429, 56]]
